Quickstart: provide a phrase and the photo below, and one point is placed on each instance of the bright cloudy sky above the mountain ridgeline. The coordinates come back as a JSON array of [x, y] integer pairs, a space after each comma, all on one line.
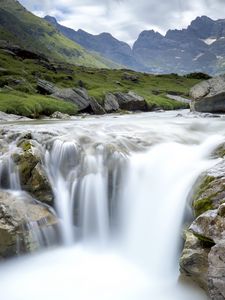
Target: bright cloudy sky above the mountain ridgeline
[[125, 19]]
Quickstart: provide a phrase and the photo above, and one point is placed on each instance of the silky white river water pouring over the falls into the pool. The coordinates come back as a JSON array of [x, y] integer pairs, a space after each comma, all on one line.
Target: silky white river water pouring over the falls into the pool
[[121, 185]]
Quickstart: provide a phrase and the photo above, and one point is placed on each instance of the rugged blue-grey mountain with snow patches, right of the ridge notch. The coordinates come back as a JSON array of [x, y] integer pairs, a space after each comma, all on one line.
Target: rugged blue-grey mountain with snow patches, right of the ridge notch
[[199, 48]]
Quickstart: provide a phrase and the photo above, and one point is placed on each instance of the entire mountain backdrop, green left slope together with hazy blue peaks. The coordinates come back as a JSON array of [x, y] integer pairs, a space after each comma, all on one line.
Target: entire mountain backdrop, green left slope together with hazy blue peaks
[[199, 48]]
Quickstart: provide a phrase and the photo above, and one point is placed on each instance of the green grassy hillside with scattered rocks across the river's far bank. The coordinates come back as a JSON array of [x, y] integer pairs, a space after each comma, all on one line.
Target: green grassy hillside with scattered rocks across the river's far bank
[[18, 82]]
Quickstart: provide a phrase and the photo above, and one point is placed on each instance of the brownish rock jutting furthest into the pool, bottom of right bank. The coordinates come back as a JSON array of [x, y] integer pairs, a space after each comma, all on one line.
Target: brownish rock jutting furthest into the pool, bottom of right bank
[[194, 260]]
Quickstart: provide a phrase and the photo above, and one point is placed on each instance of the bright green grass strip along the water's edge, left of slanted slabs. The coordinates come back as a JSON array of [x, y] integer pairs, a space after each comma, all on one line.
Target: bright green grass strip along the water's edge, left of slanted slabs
[[33, 106]]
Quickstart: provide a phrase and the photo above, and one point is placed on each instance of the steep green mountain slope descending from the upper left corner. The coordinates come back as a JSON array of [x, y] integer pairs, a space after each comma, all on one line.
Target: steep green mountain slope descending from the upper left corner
[[19, 26]]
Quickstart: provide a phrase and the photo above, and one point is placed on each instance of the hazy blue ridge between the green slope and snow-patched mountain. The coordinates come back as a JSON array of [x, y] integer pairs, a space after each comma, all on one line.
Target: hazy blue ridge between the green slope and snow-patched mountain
[[104, 44]]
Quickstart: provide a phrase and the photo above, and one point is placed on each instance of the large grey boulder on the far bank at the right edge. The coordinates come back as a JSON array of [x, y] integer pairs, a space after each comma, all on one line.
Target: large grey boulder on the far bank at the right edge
[[209, 96]]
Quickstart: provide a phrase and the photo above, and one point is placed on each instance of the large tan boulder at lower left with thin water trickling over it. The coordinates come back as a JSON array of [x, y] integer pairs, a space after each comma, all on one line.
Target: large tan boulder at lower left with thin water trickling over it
[[20, 215]]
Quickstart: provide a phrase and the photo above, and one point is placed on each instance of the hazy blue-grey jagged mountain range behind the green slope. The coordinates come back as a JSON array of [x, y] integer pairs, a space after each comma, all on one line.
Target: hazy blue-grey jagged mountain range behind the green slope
[[199, 48]]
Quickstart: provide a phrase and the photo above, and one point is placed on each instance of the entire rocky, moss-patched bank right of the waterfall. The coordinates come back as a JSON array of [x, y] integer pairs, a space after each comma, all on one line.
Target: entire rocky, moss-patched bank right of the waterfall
[[203, 256]]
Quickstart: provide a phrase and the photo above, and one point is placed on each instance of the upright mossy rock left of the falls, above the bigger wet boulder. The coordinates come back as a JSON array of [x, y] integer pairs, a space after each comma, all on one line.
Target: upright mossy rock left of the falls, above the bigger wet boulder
[[33, 177]]
